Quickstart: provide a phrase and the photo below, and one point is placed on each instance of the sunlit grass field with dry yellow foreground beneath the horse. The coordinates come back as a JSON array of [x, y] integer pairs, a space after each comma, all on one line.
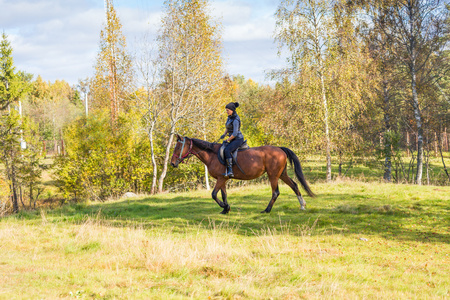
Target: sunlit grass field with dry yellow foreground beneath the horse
[[355, 241]]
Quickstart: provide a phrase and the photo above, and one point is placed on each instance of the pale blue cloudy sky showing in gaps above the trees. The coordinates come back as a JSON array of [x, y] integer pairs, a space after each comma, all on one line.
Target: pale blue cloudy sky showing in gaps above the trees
[[59, 39]]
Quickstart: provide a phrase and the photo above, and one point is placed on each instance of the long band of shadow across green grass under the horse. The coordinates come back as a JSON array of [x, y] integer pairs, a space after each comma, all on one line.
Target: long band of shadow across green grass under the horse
[[425, 221]]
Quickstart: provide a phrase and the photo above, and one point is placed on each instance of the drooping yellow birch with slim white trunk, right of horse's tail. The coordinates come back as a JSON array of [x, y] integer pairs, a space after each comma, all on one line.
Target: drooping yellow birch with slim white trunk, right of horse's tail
[[327, 64]]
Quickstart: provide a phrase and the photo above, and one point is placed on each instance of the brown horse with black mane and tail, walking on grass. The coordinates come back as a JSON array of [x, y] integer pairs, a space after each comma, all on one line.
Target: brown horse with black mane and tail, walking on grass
[[253, 163]]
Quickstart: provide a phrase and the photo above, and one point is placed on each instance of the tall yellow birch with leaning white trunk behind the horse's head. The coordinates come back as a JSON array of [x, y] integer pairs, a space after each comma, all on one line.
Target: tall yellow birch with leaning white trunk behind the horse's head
[[190, 65]]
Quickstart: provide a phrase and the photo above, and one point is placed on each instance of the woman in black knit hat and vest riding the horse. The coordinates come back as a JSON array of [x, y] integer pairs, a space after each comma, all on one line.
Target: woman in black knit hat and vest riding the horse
[[235, 136]]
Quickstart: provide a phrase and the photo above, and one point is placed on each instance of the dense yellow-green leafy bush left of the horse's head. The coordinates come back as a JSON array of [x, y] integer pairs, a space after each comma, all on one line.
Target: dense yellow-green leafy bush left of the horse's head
[[101, 163]]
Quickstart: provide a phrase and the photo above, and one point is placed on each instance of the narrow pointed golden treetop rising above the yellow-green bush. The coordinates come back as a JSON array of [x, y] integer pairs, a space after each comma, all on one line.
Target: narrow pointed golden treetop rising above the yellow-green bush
[[113, 71]]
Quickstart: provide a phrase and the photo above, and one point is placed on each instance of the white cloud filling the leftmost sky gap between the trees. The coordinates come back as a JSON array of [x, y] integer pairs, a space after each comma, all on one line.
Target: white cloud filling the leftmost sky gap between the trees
[[58, 46]]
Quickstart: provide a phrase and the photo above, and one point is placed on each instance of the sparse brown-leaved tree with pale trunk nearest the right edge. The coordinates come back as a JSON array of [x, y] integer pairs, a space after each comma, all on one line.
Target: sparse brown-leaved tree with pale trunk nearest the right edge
[[417, 31]]
